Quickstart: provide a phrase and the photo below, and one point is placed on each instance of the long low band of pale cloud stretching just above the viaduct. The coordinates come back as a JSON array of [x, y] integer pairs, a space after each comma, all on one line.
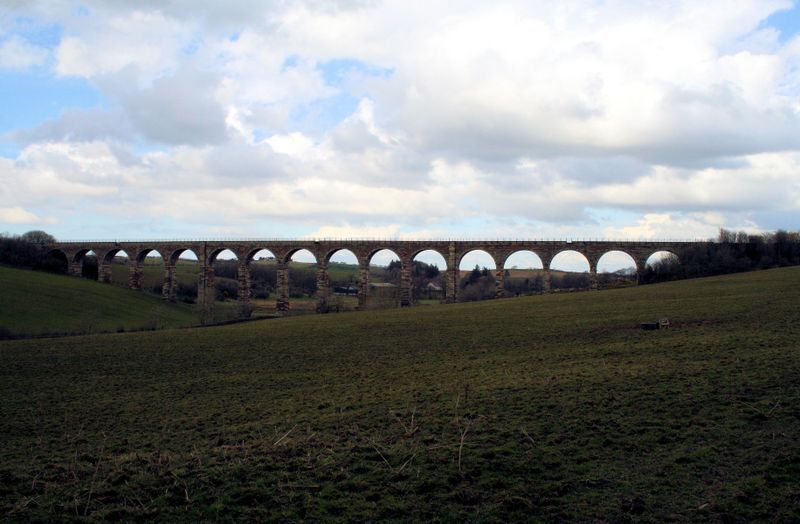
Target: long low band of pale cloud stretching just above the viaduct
[[244, 184]]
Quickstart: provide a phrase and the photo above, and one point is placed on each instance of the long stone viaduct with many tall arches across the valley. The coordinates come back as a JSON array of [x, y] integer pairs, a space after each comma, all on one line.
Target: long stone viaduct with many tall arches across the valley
[[323, 250]]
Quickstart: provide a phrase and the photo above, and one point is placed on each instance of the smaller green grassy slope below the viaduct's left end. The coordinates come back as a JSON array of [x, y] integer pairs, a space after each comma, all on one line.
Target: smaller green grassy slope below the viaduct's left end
[[35, 303]]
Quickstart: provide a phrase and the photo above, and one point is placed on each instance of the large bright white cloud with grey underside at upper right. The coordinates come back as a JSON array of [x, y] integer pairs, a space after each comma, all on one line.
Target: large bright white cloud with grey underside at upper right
[[497, 84]]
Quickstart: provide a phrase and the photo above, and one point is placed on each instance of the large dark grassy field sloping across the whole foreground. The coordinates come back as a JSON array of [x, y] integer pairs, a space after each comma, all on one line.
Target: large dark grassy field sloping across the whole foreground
[[553, 407]]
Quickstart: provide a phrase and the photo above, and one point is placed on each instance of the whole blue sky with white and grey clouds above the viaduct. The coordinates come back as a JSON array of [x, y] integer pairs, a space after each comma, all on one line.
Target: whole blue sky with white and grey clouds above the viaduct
[[586, 119]]
